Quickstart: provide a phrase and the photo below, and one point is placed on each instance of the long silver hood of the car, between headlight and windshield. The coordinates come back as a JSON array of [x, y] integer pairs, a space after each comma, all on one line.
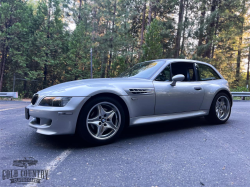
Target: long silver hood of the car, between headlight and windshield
[[89, 87]]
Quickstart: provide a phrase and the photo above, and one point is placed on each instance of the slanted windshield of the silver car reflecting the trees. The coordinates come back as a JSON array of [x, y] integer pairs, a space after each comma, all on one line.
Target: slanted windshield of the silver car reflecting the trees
[[143, 70]]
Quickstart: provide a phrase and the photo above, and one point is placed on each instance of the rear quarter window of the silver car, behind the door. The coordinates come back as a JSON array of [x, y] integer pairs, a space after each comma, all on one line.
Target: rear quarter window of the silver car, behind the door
[[206, 73]]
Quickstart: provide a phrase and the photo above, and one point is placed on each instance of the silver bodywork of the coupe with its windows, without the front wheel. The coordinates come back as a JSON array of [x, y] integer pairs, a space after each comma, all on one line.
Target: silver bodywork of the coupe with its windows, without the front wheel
[[146, 98]]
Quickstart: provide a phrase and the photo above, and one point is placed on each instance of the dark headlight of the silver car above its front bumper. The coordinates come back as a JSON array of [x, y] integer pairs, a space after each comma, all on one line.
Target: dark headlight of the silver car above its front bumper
[[55, 101]]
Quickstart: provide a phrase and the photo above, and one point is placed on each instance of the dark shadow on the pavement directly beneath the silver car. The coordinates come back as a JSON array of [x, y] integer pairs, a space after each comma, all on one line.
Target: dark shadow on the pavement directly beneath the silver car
[[73, 142]]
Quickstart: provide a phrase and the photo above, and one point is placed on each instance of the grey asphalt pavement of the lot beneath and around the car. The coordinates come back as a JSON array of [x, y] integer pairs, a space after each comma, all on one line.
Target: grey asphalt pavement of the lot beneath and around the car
[[179, 153]]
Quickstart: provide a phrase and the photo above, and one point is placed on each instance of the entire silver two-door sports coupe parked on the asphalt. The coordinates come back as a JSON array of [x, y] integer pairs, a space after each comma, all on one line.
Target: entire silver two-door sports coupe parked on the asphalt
[[159, 90]]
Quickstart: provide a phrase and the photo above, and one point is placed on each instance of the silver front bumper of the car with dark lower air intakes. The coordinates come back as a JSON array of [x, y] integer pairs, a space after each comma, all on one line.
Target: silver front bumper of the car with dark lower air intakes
[[56, 120]]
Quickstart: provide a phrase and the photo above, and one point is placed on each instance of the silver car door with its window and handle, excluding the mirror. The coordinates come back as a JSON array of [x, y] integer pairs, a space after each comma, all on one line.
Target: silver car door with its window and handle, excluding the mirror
[[186, 96]]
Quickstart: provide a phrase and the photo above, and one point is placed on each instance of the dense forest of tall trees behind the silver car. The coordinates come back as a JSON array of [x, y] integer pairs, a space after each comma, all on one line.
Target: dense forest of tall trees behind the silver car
[[46, 42]]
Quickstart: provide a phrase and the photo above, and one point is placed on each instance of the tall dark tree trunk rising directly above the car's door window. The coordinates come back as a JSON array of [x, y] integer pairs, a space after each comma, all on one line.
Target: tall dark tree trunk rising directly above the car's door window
[[178, 36]]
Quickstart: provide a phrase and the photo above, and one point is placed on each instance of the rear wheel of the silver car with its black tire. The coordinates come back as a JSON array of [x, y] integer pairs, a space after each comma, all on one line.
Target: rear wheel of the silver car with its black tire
[[219, 113]]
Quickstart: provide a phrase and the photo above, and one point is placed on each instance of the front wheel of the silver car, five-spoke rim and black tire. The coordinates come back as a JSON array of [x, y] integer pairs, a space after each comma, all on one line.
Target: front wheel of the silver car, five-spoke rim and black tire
[[101, 121]]
